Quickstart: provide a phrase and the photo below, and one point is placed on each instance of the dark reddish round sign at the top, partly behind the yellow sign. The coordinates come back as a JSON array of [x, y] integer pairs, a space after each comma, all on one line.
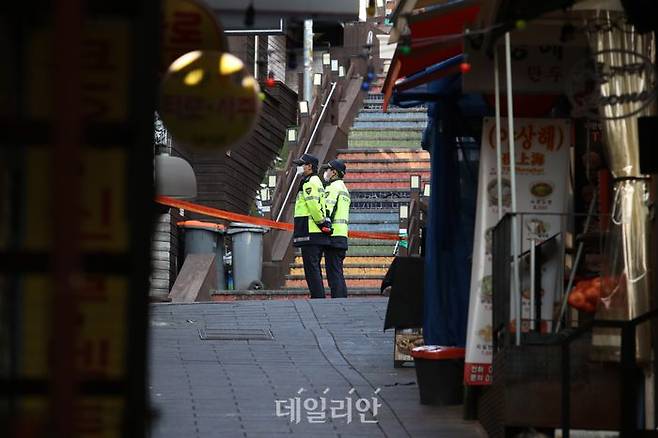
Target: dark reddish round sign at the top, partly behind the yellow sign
[[188, 25]]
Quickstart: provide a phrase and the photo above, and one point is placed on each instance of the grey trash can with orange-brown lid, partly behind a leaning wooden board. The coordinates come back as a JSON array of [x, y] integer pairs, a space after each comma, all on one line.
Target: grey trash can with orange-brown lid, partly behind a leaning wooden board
[[206, 238]]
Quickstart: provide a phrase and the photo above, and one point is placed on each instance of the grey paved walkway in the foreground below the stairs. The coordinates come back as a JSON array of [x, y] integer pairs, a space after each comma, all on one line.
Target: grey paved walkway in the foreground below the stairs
[[229, 388]]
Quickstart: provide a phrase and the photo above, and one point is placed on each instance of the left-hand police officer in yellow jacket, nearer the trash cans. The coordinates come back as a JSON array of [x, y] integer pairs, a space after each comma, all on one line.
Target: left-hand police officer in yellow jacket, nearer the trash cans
[[312, 227]]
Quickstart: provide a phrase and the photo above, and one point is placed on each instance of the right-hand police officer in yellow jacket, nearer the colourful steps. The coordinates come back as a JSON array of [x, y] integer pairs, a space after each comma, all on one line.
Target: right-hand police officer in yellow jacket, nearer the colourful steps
[[338, 209]]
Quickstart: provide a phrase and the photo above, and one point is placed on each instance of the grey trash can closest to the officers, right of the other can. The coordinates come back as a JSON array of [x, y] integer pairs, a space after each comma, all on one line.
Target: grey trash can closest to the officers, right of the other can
[[247, 242]]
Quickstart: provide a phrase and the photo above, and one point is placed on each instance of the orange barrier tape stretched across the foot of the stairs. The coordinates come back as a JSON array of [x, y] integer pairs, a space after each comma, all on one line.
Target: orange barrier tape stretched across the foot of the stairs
[[236, 217]]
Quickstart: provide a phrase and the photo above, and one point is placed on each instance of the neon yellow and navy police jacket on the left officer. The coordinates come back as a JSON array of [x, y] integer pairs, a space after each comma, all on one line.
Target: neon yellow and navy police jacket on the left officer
[[309, 213]]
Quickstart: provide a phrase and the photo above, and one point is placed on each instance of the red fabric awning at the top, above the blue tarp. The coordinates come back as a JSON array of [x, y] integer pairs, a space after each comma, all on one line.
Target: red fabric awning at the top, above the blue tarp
[[435, 36]]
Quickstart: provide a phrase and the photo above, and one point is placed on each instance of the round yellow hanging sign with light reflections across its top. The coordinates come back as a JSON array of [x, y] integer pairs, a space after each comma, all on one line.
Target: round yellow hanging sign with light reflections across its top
[[208, 101]]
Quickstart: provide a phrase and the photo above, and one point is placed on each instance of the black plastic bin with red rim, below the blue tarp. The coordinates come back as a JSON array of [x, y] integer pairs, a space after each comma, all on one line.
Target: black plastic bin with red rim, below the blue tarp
[[440, 374]]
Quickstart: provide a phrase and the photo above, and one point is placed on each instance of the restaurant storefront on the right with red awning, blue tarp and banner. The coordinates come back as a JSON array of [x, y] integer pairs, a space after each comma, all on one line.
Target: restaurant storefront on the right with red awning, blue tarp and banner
[[556, 232]]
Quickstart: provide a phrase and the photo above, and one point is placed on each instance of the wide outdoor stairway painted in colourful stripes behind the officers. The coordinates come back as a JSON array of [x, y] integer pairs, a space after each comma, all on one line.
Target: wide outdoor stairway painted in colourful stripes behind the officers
[[383, 151]]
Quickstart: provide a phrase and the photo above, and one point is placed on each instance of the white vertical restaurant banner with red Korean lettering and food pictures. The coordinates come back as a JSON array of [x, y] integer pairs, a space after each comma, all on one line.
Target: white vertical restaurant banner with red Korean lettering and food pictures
[[542, 169]]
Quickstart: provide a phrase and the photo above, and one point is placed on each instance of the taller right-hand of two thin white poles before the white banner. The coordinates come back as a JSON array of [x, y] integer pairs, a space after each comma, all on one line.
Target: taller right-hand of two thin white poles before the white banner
[[515, 220]]
